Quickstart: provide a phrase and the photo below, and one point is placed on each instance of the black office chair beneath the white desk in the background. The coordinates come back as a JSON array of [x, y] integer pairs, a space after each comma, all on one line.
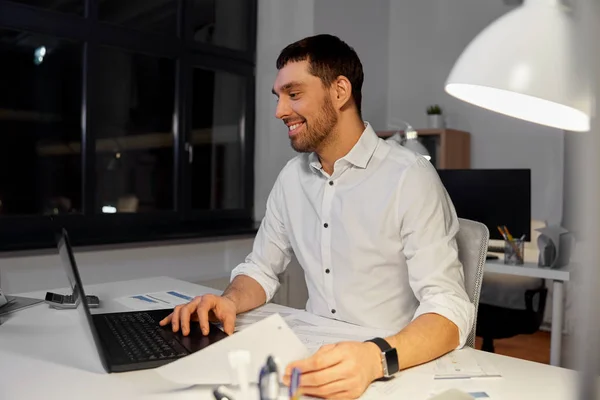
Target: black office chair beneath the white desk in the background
[[495, 322]]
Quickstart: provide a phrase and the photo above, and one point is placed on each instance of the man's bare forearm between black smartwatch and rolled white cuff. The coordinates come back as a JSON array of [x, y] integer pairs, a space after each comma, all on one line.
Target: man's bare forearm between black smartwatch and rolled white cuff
[[426, 338]]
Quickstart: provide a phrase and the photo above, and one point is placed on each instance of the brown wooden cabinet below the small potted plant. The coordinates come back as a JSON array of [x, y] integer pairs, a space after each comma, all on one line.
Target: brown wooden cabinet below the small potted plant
[[449, 148]]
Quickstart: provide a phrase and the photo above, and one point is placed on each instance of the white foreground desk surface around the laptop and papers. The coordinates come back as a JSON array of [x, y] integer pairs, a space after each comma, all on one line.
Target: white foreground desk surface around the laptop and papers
[[48, 354]]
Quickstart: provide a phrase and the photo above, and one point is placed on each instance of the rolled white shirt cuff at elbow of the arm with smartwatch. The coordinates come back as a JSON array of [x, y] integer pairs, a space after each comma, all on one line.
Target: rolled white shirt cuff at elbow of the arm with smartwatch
[[457, 310]]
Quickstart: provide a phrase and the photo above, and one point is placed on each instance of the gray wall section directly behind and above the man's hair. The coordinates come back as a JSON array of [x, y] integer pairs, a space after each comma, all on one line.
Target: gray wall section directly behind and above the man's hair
[[364, 26]]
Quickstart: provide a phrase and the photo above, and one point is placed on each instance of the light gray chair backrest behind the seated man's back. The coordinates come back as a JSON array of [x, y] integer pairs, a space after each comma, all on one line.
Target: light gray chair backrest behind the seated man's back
[[472, 241]]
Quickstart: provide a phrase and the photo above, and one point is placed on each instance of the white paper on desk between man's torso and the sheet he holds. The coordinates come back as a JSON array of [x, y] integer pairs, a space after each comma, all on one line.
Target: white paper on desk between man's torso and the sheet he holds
[[315, 331]]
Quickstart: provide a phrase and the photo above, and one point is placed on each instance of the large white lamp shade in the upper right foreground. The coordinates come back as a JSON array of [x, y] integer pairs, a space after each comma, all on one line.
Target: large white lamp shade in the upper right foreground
[[525, 65]]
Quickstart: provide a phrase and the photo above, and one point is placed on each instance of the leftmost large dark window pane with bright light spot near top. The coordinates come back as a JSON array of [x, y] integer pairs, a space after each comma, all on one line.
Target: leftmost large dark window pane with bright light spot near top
[[40, 121]]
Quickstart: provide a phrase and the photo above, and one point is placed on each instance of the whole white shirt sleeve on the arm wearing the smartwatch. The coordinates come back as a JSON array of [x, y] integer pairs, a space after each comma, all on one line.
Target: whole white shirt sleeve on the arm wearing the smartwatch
[[428, 228]]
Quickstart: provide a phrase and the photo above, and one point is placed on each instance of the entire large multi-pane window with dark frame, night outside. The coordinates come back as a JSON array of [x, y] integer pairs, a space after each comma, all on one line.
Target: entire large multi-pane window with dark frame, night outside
[[125, 120]]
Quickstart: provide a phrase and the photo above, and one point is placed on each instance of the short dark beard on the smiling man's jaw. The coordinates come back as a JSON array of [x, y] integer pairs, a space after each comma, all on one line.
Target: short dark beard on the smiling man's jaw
[[319, 131]]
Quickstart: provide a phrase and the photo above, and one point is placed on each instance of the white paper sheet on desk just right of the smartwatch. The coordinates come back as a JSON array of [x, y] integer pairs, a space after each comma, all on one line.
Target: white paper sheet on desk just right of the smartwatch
[[463, 364]]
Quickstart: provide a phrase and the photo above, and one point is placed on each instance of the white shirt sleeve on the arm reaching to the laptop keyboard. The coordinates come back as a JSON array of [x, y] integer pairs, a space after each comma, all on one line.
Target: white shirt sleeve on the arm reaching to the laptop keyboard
[[271, 251]]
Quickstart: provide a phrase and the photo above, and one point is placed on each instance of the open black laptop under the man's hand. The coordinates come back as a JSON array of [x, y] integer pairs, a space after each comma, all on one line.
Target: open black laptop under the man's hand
[[128, 341]]
